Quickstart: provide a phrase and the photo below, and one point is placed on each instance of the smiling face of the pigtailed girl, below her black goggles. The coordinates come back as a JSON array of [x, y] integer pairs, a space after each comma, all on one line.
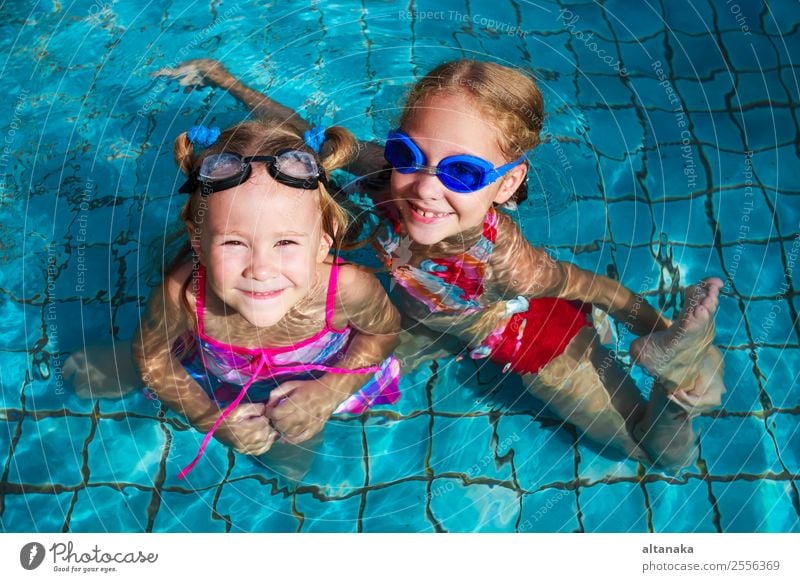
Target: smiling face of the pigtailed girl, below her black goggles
[[261, 244]]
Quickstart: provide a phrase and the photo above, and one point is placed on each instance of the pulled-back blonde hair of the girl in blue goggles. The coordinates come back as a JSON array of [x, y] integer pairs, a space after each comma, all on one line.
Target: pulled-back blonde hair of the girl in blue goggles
[[509, 98]]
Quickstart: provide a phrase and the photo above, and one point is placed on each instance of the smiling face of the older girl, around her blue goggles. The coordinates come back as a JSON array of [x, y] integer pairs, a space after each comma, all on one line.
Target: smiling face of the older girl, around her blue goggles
[[444, 126]]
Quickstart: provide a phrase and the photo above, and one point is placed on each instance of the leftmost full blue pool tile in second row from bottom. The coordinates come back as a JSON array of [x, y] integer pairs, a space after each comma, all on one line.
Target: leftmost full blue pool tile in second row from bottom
[[50, 451]]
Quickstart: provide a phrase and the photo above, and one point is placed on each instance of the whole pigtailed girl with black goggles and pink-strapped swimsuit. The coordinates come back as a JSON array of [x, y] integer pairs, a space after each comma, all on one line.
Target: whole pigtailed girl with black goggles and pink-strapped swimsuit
[[259, 322]]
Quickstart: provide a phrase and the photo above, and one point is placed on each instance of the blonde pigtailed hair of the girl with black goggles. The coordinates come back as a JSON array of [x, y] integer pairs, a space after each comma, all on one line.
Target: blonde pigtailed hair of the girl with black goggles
[[261, 137]]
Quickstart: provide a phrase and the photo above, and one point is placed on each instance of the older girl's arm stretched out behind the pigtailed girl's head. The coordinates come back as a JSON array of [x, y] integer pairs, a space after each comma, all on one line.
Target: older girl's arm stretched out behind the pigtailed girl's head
[[368, 161]]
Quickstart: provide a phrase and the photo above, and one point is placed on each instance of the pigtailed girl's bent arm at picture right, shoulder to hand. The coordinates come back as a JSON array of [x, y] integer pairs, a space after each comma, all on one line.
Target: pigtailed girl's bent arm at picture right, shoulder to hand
[[362, 304]]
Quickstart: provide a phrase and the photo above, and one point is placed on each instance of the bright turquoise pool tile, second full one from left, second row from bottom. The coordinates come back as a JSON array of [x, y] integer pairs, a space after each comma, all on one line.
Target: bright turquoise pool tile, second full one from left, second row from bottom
[[126, 451]]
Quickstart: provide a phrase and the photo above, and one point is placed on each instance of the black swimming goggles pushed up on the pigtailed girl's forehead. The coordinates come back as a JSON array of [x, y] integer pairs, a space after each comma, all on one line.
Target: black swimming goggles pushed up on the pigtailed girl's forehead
[[225, 170]]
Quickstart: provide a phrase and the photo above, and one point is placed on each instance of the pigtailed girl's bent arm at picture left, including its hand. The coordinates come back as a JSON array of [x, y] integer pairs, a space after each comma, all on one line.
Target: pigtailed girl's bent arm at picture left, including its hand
[[246, 428]]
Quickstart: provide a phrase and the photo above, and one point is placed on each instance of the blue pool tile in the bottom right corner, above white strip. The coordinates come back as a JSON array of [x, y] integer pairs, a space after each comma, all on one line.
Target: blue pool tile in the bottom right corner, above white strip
[[759, 506]]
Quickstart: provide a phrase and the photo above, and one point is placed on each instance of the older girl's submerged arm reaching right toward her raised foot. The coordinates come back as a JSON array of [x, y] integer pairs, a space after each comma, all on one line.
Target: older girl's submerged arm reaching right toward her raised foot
[[520, 269]]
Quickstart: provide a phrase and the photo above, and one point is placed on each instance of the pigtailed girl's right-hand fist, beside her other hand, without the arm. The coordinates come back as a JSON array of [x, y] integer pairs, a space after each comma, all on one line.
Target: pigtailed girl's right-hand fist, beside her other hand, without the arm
[[299, 409]]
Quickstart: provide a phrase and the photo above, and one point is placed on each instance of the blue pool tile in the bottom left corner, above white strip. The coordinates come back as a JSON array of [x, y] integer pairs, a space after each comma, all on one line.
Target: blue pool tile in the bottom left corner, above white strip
[[35, 512]]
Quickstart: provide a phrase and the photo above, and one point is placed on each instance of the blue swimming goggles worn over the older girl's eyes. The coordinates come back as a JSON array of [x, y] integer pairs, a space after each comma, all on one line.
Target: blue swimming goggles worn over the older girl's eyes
[[463, 173]]
